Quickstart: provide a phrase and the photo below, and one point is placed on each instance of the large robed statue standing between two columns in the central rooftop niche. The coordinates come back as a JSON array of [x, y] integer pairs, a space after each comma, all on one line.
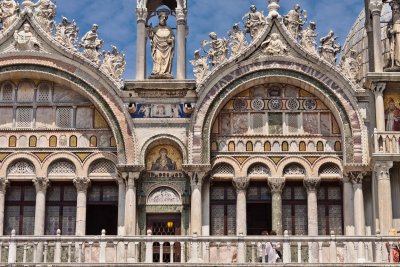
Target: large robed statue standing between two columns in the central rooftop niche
[[162, 42]]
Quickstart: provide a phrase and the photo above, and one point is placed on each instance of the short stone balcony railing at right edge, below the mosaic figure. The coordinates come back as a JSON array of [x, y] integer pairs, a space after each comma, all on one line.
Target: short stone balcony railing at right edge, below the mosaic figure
[[387, 143]]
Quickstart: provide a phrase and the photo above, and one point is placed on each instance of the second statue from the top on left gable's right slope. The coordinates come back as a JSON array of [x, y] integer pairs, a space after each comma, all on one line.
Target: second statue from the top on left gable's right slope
[[67, 33]]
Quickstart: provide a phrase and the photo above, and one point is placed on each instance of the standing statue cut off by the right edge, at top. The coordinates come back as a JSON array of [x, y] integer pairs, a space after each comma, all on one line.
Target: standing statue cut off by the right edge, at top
[[393, 33]]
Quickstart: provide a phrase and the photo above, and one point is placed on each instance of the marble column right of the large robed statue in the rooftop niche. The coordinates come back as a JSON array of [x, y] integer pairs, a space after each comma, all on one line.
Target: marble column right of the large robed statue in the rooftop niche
[[181, 42]]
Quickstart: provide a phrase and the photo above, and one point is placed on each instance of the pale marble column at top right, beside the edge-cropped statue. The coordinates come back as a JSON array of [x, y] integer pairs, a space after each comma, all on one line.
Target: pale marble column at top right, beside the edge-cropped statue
[[375, 7]]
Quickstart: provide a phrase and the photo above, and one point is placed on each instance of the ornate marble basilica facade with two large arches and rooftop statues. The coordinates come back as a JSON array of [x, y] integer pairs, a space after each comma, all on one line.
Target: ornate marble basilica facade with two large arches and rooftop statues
[[276, 133]]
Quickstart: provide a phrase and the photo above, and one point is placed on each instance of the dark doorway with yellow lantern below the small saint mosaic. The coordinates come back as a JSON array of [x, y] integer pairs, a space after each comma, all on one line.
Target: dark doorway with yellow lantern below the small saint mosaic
[[165, 224]]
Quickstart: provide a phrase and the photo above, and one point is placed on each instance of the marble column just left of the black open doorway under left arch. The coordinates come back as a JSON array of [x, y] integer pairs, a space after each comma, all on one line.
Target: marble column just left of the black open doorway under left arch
[[81, 184]]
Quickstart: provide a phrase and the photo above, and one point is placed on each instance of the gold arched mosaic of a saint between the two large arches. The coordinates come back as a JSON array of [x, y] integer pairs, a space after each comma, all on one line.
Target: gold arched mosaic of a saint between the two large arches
[[164, 158]]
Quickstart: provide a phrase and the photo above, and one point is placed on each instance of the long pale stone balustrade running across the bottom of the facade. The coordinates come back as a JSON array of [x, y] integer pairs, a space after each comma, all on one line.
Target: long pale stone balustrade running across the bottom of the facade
[[191, 250]]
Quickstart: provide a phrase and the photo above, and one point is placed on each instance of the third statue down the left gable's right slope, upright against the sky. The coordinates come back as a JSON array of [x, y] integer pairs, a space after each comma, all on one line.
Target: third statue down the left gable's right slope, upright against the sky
[[91, 45]]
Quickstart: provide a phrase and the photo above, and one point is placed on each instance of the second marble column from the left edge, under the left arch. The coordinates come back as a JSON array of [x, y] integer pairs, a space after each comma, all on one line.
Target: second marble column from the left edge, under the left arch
[[41, 184]]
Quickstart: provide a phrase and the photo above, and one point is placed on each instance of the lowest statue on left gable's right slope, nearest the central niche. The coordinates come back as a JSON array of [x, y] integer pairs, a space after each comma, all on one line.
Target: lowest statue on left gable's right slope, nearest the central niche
[[114, 63]]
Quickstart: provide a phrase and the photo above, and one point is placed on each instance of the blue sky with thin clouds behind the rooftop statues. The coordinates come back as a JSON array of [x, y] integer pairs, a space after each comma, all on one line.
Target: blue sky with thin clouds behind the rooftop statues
[[117, 20]]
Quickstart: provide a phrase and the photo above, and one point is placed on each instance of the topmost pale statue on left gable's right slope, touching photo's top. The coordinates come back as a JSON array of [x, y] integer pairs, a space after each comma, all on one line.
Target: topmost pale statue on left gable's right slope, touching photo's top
[[45, 11]]
